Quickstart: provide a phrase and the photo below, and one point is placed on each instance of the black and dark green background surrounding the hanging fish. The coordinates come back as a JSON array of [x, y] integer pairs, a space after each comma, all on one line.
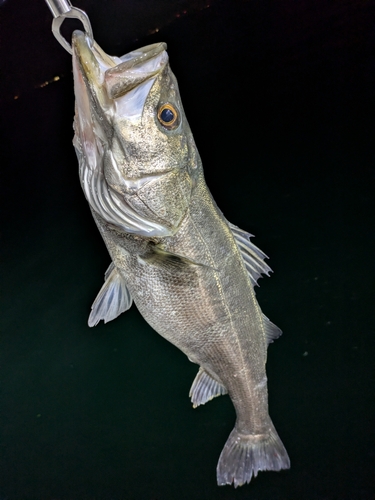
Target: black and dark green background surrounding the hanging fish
[[280, 98]]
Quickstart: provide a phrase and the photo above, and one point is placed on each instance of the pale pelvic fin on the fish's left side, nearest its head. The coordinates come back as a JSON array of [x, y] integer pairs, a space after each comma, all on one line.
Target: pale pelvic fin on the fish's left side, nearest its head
[[112, 300]]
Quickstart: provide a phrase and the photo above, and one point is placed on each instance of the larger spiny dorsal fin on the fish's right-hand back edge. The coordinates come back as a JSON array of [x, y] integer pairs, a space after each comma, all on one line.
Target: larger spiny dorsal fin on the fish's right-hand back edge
[[253, 257]]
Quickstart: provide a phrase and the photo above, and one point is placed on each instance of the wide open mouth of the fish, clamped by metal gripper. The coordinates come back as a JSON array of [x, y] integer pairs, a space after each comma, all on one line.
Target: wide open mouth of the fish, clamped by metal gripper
[[115, 76]]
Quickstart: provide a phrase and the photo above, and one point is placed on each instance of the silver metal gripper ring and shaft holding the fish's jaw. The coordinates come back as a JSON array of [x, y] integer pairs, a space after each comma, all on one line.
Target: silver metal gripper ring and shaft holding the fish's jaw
[[61, 9]]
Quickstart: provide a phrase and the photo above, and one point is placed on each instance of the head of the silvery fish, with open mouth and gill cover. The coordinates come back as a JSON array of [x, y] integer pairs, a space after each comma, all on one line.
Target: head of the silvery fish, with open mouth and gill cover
[[138, 159]]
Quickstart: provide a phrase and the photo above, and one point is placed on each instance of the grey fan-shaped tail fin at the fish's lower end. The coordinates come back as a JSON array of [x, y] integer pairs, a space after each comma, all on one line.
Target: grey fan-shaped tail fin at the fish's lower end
[[243, 456]]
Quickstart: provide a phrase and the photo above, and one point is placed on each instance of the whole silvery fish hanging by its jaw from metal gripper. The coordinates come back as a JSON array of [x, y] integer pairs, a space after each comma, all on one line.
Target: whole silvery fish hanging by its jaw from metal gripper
[[190, 272]]
